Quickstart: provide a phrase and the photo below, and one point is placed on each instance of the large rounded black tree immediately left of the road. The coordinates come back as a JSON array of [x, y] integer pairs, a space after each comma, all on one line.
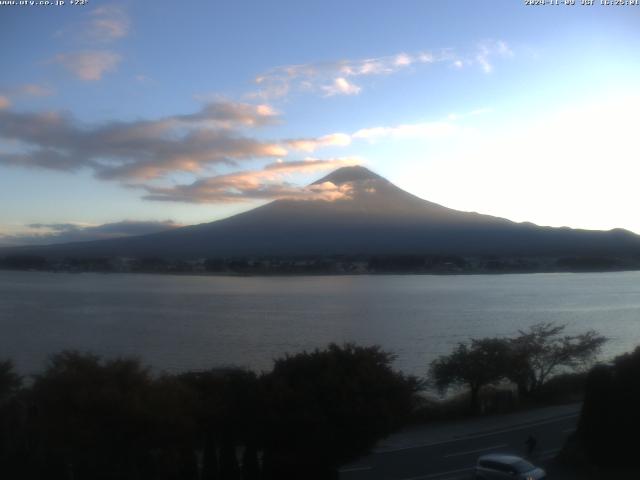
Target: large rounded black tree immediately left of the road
[[327, 407]]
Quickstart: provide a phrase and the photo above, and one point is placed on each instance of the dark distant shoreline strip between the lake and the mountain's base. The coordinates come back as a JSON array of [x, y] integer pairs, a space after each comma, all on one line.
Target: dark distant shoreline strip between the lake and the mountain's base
[[322, 265]]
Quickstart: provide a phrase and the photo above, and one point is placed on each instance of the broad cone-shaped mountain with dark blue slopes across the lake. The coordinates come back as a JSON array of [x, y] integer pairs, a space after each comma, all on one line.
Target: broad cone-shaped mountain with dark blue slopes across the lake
[[375, 217]]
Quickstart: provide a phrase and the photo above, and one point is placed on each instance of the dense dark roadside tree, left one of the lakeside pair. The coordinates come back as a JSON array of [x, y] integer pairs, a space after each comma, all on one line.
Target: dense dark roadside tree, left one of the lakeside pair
[[482, 362]]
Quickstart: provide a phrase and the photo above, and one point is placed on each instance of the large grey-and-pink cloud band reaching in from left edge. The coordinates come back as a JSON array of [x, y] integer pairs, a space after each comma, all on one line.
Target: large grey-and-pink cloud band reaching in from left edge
[[143, 149]]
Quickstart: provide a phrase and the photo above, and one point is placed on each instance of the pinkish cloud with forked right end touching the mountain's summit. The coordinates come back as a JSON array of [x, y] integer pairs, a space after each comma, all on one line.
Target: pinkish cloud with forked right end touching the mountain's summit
[[265, 184]]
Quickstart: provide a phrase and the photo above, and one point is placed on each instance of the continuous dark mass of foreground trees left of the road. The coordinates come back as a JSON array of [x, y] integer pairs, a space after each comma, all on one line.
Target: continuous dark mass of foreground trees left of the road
[[84, 417]]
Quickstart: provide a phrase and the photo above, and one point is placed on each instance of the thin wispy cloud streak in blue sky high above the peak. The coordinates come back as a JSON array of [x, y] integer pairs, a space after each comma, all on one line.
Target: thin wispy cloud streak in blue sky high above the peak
[[337, 77]]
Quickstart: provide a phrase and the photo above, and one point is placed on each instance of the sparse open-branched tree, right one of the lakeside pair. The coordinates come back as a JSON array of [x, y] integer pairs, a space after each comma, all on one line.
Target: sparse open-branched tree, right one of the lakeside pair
[[542, 351]]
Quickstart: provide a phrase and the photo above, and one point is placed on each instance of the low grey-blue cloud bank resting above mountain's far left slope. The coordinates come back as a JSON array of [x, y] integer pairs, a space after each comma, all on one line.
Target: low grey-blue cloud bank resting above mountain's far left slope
[[39, 233]]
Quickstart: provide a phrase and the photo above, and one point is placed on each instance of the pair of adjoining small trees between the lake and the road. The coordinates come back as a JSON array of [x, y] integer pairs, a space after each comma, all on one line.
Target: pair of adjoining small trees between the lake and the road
[[528, 360]]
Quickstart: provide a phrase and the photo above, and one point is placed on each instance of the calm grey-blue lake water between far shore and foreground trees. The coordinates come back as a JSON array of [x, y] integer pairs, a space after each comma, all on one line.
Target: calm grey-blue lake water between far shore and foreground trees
[[175, 323]]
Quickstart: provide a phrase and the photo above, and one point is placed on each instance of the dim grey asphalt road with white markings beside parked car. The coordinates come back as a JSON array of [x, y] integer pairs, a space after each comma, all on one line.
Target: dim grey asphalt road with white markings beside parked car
[[455, 459]]
